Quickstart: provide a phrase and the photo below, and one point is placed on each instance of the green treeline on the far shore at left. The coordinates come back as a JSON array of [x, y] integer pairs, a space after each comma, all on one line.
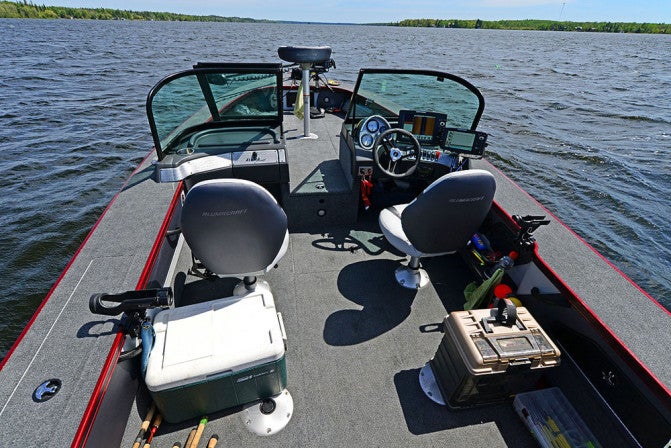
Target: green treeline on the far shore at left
[[28, 10]]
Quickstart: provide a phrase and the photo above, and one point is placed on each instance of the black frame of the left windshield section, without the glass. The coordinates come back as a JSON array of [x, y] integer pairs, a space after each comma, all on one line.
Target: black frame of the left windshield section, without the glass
[[199, 71]]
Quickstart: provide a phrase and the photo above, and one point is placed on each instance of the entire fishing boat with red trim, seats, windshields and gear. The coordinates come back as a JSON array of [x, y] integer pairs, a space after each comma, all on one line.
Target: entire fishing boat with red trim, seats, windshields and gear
[[300, 262]]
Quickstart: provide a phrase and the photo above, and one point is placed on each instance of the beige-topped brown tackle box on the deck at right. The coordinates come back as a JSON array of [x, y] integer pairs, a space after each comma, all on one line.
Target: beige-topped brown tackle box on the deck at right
[[483, 359]]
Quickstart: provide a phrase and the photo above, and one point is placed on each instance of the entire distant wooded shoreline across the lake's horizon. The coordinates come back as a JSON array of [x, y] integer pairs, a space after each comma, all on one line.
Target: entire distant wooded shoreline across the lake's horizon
[[28, 10]]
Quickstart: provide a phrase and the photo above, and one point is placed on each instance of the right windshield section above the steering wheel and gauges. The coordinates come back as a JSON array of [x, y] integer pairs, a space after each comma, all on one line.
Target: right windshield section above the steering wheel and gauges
[[388, 92]]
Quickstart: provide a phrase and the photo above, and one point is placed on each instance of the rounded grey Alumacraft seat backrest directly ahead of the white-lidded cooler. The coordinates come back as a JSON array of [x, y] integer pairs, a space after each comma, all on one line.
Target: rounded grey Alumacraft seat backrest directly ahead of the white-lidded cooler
[[234, 227]]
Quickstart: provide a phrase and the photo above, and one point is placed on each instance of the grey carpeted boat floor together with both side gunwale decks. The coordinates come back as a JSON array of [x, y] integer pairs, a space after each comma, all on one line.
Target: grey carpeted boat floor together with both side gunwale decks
[[356, 340]]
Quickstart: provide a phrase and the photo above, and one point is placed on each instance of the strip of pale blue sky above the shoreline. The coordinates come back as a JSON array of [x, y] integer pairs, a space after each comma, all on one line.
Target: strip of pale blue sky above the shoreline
[[369, 11]]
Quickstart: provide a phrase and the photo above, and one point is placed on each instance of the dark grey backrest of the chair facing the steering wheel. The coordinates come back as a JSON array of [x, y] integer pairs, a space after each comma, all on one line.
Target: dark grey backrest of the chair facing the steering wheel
[[447, 213]]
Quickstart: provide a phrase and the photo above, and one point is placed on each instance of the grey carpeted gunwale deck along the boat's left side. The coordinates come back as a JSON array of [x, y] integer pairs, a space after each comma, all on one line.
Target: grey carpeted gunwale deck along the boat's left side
[[64, 340]]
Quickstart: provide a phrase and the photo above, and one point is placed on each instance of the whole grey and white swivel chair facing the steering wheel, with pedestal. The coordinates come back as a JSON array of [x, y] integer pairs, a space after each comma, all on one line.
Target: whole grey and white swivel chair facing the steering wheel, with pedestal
[[439, 221]]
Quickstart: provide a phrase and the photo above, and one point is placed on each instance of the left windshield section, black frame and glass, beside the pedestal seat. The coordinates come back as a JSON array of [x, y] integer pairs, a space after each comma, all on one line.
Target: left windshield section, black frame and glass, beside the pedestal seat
[[213, 97]]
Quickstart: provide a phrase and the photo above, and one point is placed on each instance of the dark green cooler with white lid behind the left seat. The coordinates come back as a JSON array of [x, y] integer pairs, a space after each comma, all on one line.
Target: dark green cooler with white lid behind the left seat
[[216, 355]]
